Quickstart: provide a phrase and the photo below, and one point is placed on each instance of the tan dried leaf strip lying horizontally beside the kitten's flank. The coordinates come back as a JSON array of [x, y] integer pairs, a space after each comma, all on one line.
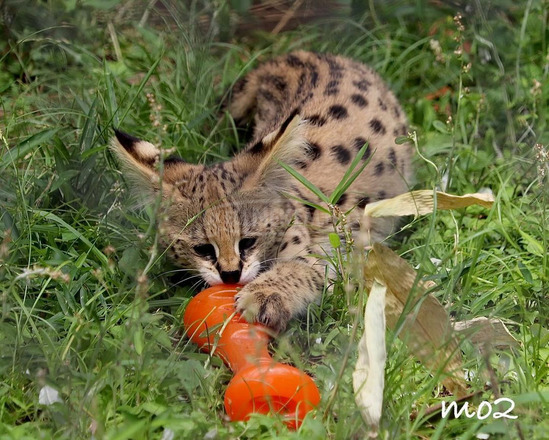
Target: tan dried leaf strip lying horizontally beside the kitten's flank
[[423, 202]]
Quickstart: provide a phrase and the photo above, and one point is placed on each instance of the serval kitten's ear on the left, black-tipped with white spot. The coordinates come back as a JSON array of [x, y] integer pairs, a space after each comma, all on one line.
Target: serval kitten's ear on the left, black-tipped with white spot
[[141, 164]]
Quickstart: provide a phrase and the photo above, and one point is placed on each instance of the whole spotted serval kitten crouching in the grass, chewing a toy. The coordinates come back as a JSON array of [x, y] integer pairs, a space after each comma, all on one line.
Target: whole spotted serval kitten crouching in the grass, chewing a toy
[[239, 221]]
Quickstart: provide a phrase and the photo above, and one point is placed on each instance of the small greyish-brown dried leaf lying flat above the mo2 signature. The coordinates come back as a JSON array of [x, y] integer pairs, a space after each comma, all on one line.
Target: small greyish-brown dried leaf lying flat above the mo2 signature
[[486, 332]]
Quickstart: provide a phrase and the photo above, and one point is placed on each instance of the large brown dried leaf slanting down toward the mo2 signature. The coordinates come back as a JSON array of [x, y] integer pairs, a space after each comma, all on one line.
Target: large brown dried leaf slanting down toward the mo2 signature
[[426, 329]]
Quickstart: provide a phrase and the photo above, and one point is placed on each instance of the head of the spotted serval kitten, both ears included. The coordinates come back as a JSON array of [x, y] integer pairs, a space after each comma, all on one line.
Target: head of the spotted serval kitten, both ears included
[[223, 221]]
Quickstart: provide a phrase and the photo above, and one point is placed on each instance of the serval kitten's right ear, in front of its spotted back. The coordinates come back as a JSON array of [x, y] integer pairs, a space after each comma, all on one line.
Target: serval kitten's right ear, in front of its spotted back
[[285, 145]]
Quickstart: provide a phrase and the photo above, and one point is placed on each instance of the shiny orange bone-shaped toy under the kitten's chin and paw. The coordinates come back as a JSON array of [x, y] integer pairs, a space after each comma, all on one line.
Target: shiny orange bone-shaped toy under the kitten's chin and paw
[[260, 384]]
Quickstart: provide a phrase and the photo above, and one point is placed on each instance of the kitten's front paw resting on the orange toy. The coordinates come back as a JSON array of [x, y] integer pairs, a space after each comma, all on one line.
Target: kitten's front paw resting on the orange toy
[[257, 302]]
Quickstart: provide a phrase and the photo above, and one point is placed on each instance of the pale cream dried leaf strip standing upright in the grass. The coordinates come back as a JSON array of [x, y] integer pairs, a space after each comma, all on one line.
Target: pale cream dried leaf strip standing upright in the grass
[[368, 377]]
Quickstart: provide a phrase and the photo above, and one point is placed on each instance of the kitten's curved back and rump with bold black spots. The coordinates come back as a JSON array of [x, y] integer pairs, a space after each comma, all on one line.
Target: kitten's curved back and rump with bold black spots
[[346, 105]]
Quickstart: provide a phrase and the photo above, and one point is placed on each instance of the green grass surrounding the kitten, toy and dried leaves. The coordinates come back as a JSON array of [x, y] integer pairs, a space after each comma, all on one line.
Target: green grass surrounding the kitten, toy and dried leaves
[[92, 308]]
